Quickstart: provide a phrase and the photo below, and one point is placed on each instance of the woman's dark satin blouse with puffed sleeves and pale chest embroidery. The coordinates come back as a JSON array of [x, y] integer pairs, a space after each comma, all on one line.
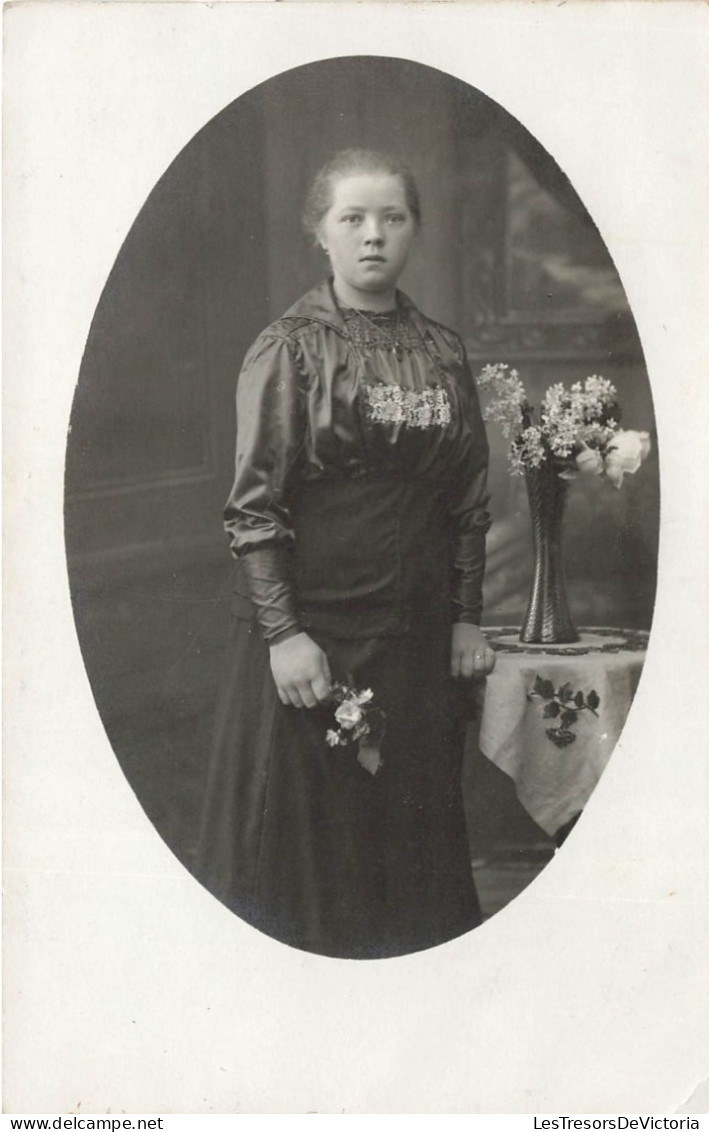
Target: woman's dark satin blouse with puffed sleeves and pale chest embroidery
[[362, 461]]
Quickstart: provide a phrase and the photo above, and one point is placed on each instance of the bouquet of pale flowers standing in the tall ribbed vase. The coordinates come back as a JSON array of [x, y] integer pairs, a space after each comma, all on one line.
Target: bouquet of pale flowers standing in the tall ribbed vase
[[578, 428]]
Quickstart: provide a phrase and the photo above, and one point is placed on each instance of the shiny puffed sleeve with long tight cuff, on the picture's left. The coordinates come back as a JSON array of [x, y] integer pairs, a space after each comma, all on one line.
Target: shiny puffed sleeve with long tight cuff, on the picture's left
[[270, 438]]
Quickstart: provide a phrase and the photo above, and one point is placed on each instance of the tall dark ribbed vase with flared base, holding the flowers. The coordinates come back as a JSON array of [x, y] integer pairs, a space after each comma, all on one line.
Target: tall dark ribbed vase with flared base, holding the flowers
[[548, 620]]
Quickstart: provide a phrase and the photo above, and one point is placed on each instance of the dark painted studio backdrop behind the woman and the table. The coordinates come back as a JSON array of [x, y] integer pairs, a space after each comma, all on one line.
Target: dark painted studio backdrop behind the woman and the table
[[508, 256]]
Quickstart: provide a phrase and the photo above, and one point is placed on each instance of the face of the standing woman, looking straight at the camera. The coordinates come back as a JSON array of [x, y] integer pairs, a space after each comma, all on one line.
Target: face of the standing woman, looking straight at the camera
[[368, 234]]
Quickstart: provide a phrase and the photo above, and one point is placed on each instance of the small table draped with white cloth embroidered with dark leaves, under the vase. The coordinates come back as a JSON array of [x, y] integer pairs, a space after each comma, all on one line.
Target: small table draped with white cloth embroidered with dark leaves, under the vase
[[556, 774]]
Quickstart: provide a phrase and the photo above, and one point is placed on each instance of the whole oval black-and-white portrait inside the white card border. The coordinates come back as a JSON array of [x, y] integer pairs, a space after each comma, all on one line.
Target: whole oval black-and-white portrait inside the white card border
[[298, 716]]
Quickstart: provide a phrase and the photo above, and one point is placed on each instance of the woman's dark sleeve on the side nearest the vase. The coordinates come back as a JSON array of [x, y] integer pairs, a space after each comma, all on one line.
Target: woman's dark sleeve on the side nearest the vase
[[469, 519]]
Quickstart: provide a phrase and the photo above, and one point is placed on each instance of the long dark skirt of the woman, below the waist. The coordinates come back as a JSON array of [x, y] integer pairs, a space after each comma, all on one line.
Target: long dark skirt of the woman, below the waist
[[309, 846]]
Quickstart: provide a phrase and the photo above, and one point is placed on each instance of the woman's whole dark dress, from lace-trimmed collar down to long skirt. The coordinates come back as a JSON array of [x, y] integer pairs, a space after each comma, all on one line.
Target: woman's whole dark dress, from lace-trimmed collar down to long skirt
[[358, 516]]
